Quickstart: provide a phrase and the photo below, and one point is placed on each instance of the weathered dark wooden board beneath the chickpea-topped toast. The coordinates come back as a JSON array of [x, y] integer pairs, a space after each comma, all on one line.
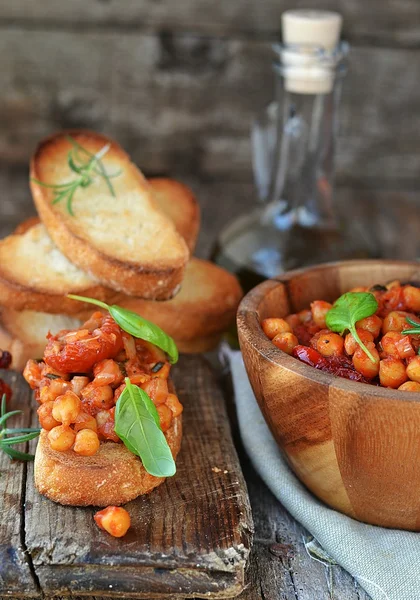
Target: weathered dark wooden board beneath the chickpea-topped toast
[[189, 537]]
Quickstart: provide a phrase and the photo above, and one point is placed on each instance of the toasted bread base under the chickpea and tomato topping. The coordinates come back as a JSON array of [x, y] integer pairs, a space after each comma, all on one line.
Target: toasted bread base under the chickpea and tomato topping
[[113, 476]]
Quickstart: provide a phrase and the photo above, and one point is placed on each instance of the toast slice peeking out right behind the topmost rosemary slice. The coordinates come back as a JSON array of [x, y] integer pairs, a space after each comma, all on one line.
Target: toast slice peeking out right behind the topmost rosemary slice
[[178, 202]]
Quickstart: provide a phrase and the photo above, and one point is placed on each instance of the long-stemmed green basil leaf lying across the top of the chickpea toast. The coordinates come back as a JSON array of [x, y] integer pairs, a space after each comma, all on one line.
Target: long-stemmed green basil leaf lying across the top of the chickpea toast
[[136, 326]]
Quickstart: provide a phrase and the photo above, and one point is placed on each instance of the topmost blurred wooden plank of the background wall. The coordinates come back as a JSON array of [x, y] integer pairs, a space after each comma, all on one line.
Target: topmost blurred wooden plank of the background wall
[[393, 24]]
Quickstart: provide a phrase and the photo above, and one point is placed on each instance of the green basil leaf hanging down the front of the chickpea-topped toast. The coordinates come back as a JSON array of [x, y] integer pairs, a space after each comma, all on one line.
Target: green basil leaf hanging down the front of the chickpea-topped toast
[[136, 424]]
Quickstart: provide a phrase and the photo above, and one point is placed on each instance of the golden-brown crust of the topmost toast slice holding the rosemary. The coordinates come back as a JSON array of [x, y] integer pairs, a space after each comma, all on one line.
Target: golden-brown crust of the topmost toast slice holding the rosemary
[[159, 278]]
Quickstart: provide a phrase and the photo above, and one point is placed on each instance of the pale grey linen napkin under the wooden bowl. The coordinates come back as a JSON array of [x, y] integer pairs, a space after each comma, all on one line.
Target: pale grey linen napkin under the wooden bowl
[[385, 562]]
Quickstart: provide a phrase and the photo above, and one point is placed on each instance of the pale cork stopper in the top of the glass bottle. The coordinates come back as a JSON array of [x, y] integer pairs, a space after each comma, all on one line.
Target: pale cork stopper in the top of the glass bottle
[[305, 32]]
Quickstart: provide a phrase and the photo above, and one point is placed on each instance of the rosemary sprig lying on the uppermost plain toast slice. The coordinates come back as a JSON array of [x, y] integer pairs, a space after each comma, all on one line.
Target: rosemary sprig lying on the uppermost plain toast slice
[[85, 165]]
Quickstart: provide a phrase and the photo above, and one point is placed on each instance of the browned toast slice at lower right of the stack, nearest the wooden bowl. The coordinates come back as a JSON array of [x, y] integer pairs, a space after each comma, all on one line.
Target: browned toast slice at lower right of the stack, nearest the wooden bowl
[[204, 308]]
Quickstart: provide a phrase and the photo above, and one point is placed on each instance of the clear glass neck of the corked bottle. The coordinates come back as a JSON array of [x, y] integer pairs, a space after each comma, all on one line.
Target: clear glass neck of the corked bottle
[[302, 174]]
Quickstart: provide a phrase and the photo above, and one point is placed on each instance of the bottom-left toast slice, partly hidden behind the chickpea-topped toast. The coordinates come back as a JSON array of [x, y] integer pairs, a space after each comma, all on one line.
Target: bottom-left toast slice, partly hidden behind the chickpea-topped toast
[[24, 333]]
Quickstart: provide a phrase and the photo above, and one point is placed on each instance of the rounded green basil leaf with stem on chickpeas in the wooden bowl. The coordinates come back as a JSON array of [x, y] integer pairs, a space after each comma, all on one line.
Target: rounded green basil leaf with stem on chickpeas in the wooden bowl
[[349, 309]]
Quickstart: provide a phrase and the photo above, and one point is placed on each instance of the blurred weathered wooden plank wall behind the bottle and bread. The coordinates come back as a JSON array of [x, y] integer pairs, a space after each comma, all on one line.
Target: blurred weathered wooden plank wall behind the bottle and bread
[[177, 83]]
